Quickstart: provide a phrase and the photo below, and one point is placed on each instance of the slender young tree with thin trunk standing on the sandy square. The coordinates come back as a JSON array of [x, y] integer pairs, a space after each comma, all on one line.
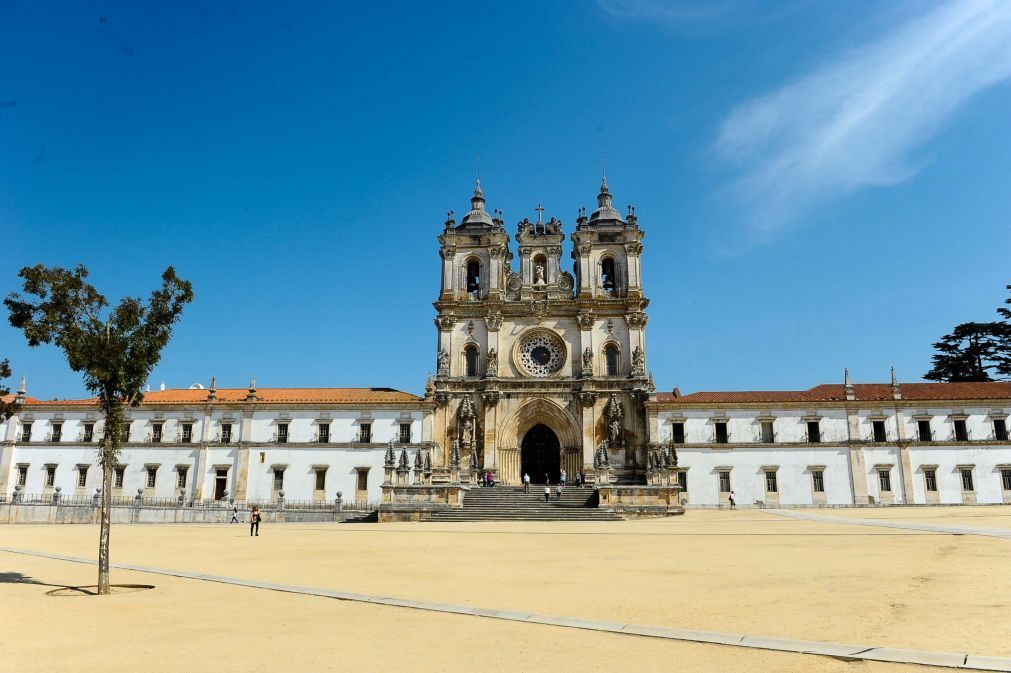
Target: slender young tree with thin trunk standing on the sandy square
[[114, 348]]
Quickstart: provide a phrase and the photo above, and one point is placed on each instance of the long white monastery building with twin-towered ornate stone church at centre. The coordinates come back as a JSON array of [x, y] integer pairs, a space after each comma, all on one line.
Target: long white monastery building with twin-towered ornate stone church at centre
[[541, 368]]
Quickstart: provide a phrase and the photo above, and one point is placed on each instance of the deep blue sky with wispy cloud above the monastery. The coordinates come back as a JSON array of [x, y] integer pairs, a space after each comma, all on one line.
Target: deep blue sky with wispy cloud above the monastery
[[822, 185]]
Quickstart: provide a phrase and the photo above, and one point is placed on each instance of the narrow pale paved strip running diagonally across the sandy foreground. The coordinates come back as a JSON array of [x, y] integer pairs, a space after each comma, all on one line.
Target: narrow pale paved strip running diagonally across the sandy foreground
[[836, 650]]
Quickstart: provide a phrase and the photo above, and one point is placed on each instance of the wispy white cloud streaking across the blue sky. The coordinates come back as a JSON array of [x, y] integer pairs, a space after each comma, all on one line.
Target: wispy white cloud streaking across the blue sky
[[856, 122]]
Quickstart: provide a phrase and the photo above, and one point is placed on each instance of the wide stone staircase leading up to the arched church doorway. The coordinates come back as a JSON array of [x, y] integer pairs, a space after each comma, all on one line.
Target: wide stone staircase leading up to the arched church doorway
[[510, 504]]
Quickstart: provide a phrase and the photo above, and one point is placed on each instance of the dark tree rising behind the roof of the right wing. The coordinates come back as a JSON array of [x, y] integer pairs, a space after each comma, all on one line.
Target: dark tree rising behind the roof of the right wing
[[973, 352]]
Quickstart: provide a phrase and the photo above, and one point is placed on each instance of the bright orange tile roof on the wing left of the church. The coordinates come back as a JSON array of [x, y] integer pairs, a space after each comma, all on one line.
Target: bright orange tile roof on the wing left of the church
[[263, 397]]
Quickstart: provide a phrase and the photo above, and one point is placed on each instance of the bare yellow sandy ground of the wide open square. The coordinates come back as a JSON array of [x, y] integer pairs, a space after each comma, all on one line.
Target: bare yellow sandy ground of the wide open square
[[747, 571]]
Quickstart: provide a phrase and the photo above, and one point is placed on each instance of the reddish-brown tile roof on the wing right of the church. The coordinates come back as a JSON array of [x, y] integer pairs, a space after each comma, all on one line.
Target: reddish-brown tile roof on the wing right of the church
[[833, 393]]
